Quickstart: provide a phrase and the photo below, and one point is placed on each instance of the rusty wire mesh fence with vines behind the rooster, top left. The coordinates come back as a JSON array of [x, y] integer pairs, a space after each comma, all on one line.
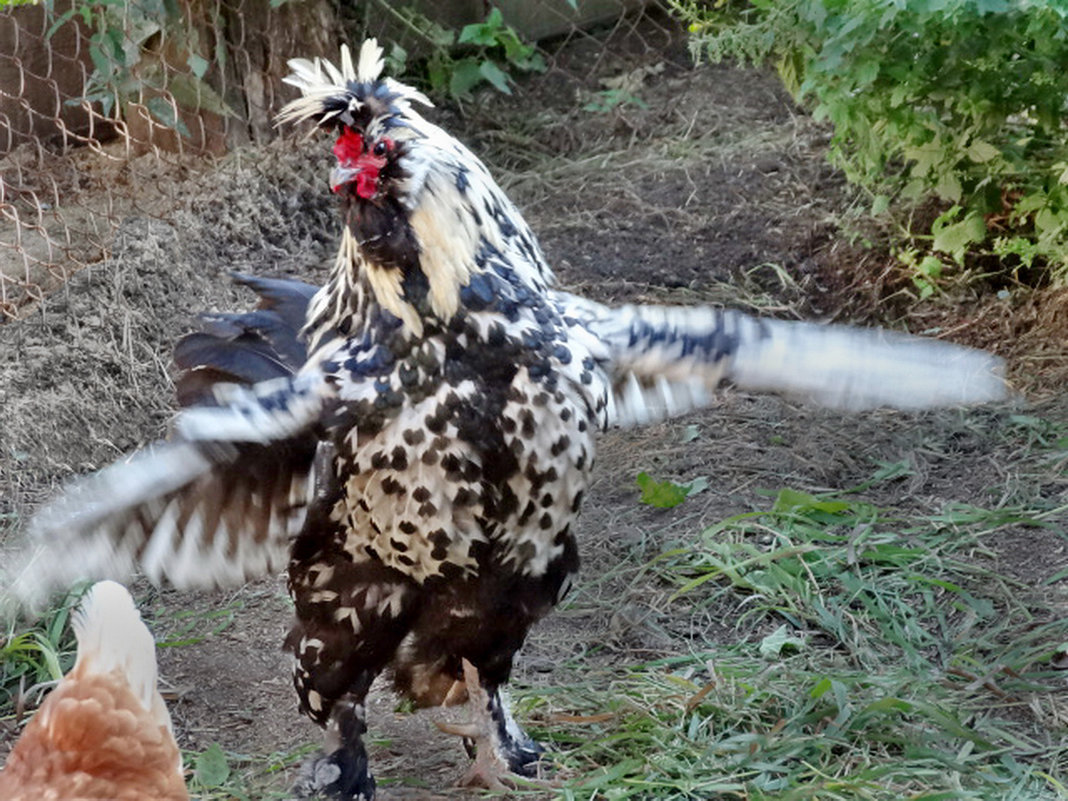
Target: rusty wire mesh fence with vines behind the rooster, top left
[[107, 109]]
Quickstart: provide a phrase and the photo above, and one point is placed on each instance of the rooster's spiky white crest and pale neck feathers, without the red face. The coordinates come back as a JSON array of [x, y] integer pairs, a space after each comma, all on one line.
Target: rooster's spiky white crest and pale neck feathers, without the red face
[[442, 239]]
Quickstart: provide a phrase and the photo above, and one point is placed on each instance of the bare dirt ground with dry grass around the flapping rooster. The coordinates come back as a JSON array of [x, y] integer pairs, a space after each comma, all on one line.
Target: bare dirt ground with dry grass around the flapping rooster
[[716, 191]]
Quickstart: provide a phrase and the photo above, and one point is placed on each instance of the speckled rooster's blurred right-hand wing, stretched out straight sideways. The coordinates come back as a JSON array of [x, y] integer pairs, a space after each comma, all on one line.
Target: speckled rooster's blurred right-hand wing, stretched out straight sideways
[[668, 360]]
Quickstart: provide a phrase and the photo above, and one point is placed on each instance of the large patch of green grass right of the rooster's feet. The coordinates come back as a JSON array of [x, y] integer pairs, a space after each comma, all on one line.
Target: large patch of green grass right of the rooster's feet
[[878, 655]]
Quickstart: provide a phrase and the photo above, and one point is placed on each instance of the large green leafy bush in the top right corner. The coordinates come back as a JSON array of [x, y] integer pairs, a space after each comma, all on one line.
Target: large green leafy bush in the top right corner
[[957, 101]]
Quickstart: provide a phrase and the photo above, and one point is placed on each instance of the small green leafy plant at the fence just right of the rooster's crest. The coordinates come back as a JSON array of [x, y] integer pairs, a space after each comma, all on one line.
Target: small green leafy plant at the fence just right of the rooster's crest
[[481, 53]]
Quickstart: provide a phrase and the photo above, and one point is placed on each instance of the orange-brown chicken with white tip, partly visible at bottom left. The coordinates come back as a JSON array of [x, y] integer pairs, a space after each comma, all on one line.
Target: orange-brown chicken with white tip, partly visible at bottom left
[[104, 733]]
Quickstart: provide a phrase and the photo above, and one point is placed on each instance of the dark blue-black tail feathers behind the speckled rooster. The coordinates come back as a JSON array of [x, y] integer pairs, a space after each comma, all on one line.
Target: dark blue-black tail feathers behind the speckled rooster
[[248, 348]]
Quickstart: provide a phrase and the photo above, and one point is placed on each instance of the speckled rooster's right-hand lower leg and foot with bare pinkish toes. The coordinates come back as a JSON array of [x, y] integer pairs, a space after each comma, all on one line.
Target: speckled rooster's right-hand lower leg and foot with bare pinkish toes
[[502, 750]]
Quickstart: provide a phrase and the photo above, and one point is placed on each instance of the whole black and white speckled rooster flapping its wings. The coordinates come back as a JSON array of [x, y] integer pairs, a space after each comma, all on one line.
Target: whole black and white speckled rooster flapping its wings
[[418, 457]]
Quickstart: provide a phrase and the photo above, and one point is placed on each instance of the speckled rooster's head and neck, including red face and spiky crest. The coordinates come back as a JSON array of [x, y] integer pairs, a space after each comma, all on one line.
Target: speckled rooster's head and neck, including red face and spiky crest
[[423, 217]]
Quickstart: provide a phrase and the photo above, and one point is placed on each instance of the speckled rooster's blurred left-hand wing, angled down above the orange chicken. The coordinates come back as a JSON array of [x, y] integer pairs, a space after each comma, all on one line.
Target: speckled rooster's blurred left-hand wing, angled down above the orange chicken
[[215, 507]]
